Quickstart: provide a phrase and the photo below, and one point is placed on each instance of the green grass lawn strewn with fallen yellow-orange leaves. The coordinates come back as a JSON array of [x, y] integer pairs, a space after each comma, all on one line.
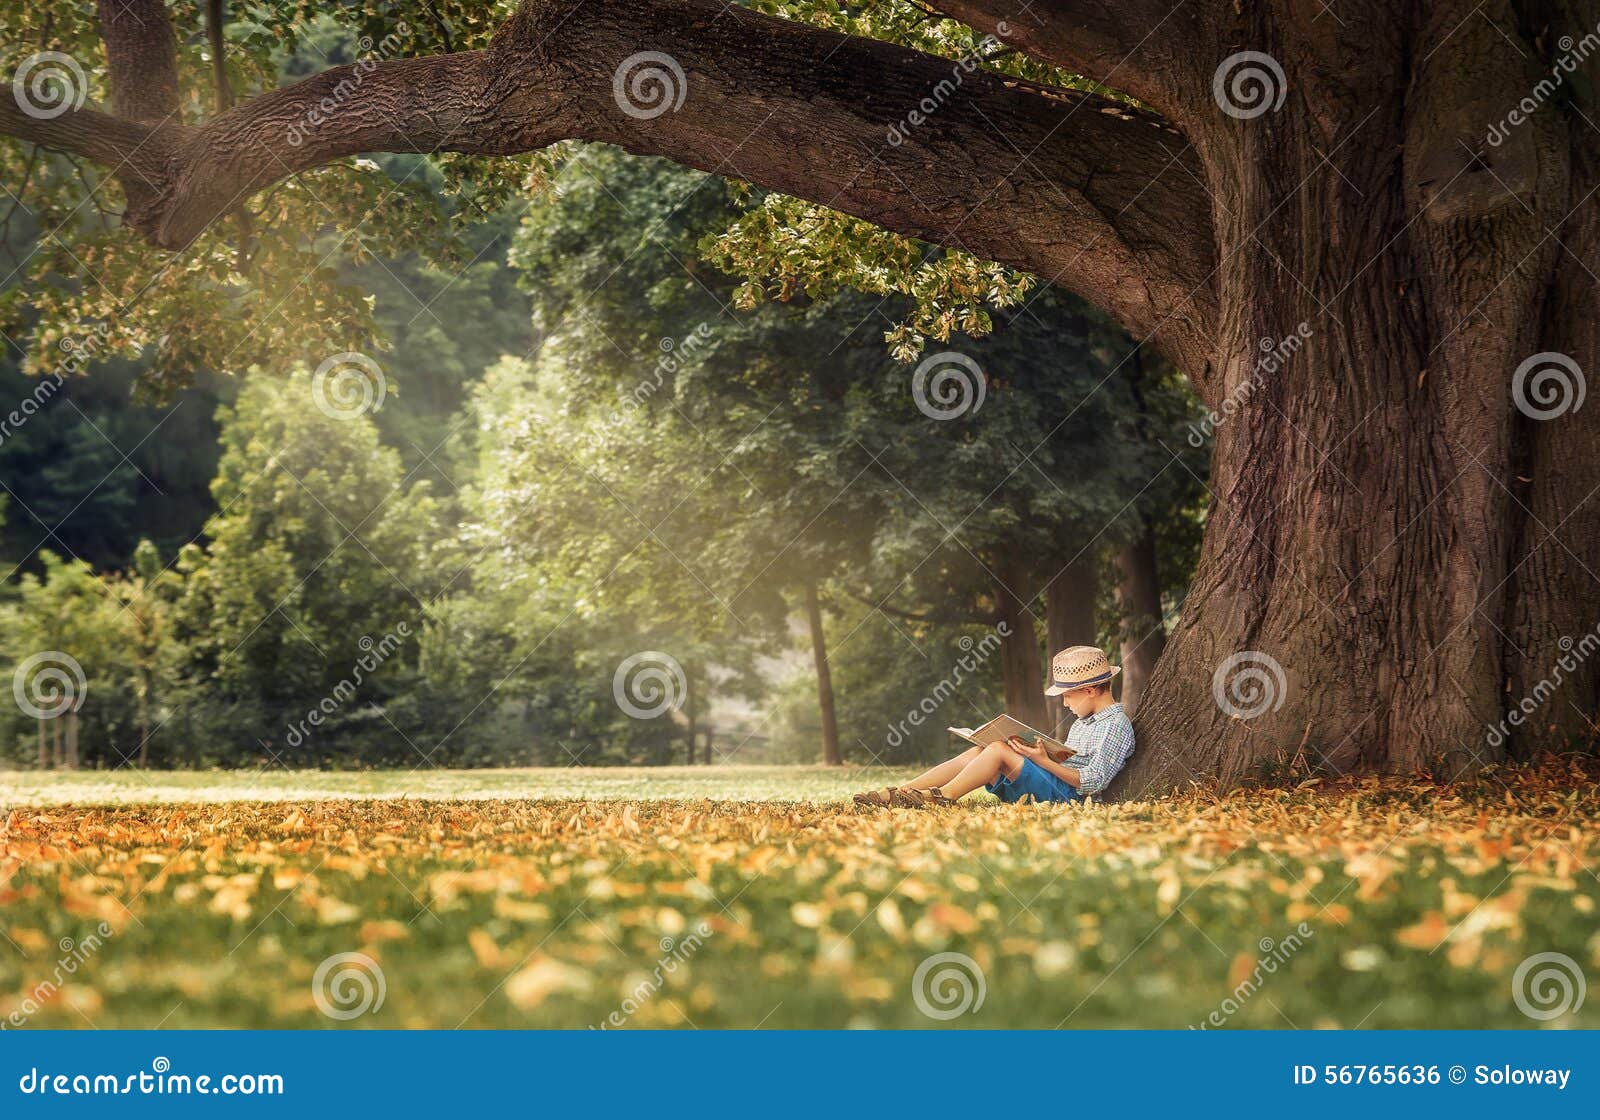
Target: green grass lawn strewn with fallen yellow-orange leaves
[[655, 898]]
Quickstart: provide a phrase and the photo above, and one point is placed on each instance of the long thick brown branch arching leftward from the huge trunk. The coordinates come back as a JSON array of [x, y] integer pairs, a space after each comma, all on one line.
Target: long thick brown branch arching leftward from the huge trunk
[[1078, 190]]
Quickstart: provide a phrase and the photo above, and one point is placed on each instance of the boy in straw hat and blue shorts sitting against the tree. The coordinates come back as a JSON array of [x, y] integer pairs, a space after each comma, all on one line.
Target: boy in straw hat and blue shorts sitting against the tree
[[1100, 743]]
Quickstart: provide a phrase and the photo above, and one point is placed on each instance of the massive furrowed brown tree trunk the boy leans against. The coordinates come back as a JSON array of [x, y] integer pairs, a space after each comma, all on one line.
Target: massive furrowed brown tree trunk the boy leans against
[[1372, 545]]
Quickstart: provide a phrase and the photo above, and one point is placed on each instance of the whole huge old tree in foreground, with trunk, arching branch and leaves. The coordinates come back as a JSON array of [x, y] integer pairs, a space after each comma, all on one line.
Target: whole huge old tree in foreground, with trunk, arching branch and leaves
[[1358, 183]]
